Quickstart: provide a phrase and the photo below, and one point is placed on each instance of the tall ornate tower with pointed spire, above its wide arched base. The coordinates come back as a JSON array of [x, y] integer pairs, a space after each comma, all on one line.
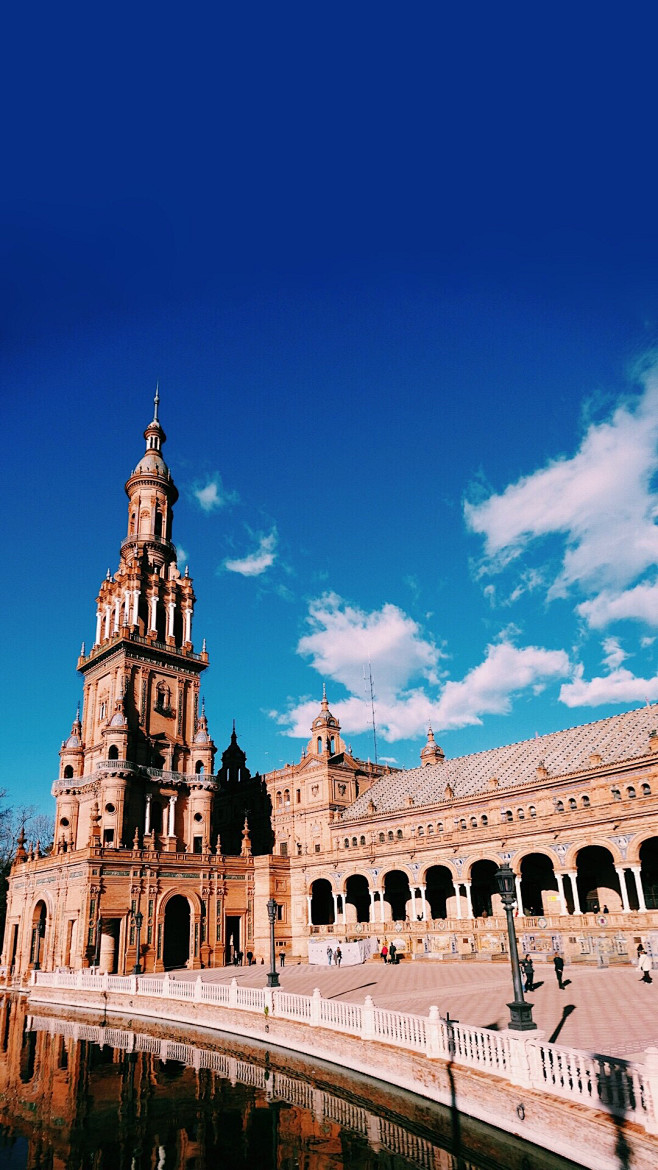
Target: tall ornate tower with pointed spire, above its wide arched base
[[140, 734]]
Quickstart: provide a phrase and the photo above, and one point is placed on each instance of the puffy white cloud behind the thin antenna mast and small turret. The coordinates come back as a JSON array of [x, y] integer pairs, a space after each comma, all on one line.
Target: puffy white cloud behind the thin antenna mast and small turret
[[344, 638]]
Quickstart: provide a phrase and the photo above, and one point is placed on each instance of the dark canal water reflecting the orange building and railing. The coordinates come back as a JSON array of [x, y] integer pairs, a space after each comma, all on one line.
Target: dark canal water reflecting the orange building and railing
[[81, 1097]]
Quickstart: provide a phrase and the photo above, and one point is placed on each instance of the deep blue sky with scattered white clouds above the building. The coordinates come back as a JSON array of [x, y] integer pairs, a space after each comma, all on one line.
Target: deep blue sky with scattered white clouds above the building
[[396, 276]]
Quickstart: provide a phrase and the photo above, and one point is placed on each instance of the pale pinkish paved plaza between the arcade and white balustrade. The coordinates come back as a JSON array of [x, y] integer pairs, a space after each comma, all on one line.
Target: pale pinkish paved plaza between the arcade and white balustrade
[[608, 1011]]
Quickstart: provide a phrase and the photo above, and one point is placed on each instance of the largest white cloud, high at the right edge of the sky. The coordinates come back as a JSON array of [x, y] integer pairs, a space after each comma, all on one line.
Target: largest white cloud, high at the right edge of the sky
[[600, 501]]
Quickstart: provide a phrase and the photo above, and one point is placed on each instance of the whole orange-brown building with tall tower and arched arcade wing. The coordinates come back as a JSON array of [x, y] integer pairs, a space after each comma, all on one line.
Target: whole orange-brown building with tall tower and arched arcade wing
[[148, 832]]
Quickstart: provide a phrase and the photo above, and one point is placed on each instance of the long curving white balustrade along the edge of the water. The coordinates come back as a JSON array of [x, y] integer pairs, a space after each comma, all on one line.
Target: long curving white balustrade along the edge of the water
[[619, 1088]]
